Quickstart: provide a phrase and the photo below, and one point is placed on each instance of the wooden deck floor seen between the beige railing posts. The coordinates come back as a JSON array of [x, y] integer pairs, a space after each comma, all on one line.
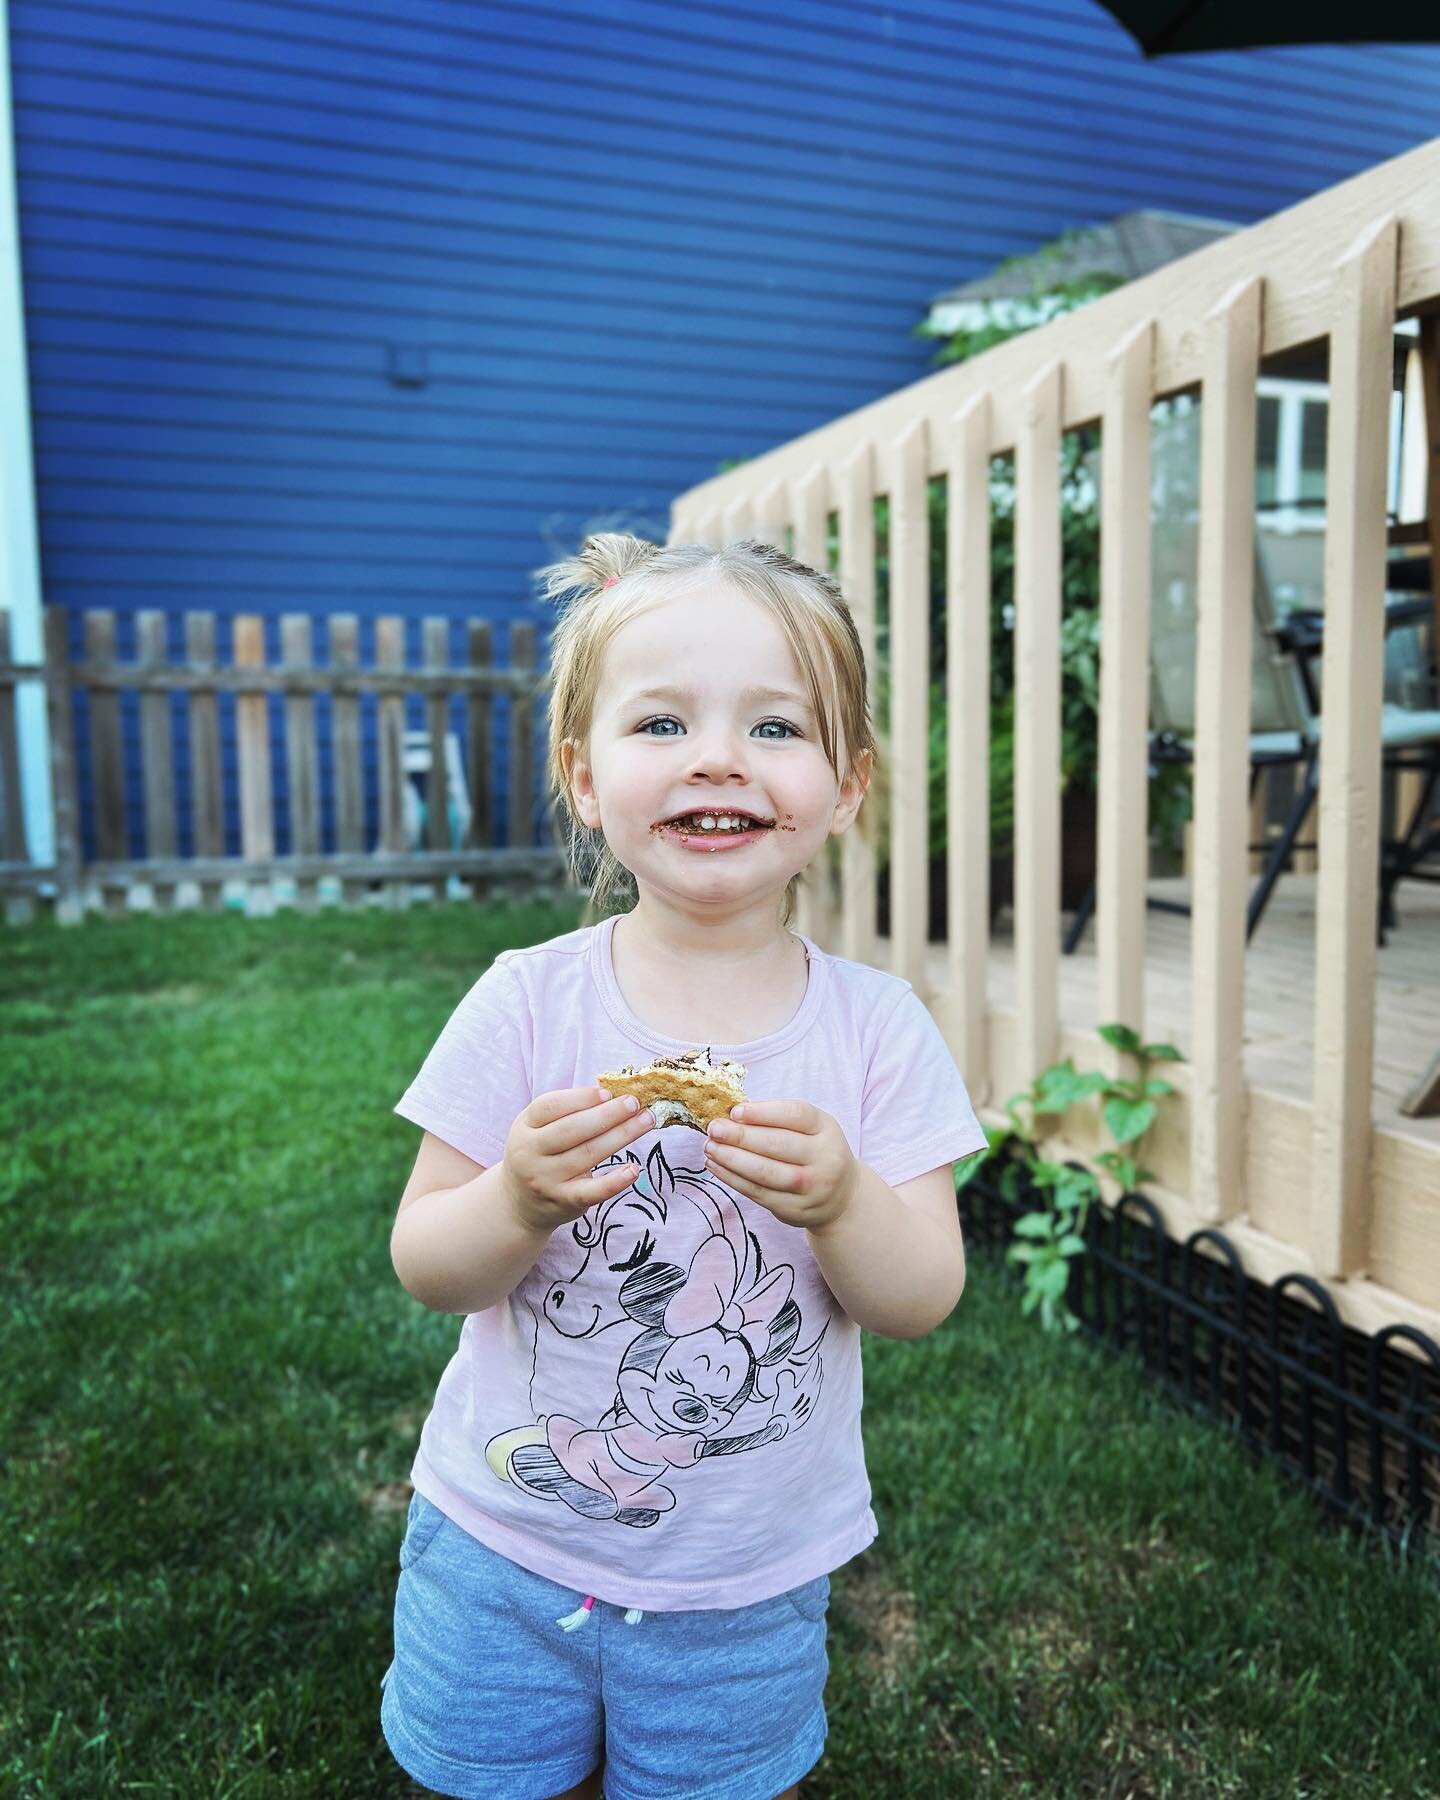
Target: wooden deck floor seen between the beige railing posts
[[1281, 967]]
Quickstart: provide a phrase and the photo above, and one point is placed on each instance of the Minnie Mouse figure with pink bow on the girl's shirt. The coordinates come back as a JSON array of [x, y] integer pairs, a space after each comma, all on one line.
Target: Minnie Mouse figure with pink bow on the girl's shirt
[[714, 1338]]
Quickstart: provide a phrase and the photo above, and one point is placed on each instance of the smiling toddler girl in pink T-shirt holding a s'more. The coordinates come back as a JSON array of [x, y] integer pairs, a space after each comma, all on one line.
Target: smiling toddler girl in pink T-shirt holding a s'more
[[645, 1457]]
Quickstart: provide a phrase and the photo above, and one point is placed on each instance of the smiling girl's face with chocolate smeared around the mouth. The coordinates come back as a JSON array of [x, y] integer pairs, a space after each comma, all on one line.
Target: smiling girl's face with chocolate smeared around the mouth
[[708, 746]]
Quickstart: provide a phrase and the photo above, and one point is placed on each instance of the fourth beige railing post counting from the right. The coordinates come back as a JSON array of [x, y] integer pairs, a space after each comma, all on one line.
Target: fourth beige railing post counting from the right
[[1038, 719]]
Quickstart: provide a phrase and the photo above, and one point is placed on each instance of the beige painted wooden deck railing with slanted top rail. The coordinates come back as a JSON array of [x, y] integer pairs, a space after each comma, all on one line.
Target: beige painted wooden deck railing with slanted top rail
[[1340, 267]]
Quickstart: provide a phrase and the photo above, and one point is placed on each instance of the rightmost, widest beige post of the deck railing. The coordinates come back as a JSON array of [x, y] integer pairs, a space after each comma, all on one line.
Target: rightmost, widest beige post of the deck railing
[[1362, 379]]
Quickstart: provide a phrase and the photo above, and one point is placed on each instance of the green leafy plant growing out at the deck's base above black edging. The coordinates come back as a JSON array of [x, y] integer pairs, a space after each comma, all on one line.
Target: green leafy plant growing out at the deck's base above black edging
[[1054, 1232]]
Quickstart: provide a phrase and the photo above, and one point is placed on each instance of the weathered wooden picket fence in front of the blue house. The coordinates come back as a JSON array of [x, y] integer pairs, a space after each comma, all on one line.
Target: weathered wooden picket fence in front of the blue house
[[388, 863]]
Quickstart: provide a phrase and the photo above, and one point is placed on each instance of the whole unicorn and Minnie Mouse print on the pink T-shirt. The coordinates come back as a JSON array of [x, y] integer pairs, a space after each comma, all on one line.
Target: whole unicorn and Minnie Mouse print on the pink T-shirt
[[712, 1336]]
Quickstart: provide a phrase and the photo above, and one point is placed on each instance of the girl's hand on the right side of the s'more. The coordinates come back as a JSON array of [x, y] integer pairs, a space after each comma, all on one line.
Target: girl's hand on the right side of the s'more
[[789, 1156]]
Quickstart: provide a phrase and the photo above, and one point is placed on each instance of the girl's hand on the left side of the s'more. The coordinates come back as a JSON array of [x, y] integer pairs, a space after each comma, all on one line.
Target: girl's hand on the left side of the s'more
[[557, 1142]]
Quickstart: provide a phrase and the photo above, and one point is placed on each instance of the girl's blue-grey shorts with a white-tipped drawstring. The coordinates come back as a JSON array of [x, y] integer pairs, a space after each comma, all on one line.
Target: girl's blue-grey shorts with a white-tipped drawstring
[[489, 1698]]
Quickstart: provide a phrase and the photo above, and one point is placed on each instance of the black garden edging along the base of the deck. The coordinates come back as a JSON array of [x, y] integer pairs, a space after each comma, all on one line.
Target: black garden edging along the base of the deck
[[1354, 1417]]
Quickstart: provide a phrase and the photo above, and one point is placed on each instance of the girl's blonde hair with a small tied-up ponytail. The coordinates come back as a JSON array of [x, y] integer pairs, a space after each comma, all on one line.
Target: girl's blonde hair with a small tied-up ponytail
[[616, 579]]
